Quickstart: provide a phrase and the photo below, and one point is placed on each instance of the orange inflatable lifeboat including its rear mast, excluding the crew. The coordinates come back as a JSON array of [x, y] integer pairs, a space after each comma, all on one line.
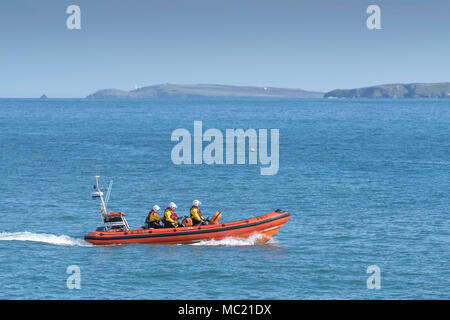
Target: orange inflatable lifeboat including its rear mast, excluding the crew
[[117, 231]]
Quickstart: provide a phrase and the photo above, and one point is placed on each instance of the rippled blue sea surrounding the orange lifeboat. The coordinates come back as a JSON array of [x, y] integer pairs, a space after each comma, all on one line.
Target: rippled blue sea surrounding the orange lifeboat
[[366, 182]]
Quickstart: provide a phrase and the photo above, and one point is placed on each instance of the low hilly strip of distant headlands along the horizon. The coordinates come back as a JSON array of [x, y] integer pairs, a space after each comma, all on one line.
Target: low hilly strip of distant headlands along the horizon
[[385, 91]]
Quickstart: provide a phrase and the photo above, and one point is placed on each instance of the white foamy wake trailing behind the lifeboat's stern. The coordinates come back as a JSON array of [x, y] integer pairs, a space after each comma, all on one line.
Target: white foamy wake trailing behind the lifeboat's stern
[[62, 240]]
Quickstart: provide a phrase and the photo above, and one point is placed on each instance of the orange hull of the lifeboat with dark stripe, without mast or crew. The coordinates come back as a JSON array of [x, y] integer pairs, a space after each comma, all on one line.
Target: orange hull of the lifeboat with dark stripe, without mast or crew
[[266, 226]]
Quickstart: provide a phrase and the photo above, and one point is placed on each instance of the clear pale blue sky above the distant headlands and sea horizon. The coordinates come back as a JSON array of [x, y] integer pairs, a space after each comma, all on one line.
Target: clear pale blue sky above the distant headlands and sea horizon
[[313, 44]]
